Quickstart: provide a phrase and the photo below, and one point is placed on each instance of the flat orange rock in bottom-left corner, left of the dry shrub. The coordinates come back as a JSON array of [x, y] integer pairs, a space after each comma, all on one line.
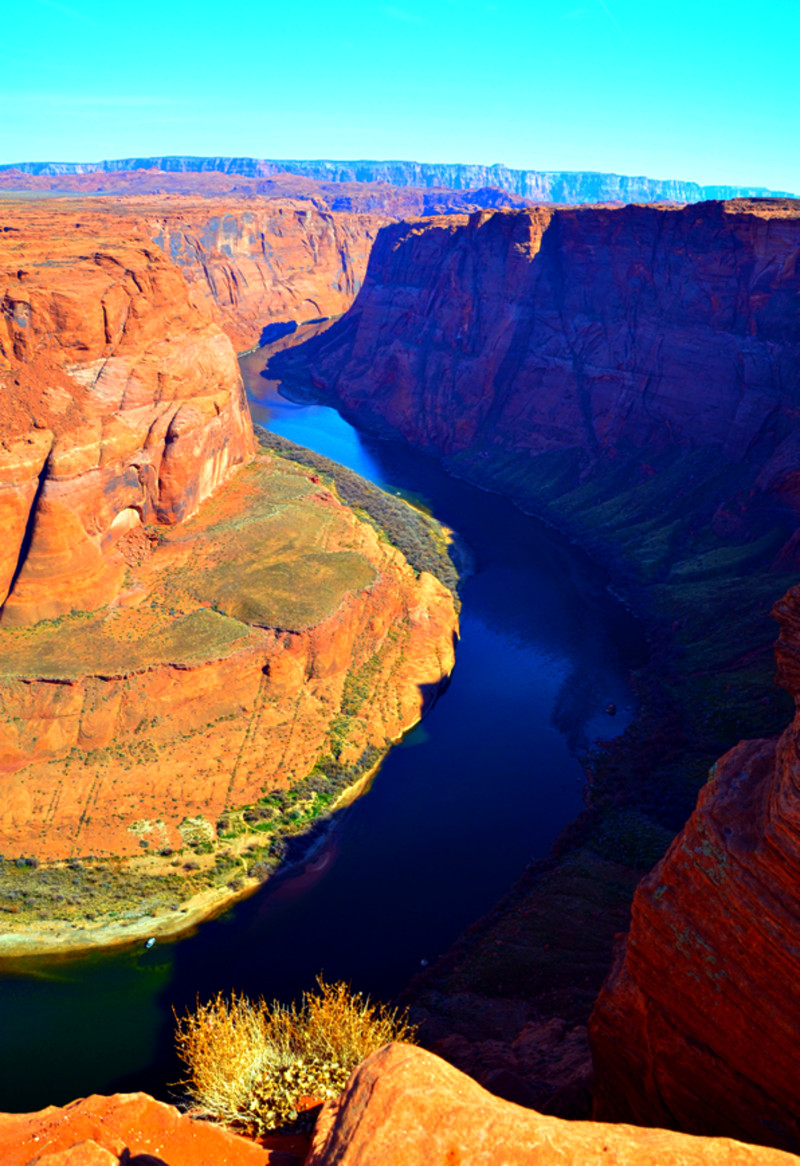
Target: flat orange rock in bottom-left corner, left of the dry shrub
[[106, 1132]]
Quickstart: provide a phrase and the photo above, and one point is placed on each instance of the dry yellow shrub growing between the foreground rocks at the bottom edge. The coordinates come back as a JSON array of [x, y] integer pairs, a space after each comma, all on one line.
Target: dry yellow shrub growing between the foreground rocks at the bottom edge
[[251, 1065]]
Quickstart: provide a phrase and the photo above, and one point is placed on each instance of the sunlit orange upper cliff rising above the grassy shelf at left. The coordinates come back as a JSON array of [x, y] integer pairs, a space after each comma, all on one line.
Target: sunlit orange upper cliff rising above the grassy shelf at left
[[122, 404]]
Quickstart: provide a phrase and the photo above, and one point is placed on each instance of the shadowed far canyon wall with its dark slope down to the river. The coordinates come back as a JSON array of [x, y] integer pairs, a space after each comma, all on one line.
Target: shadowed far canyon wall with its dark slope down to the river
[[634, 375]]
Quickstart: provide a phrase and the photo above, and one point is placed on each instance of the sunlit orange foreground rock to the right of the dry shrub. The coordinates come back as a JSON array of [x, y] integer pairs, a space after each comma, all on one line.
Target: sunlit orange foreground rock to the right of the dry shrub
[[405, 1106]]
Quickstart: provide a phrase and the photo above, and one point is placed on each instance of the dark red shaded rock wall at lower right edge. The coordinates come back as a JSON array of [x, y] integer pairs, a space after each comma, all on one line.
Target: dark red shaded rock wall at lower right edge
[[705, 991]]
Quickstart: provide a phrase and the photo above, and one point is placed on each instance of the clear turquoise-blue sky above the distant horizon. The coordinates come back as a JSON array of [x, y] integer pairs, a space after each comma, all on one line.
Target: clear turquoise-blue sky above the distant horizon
[[682, 89]]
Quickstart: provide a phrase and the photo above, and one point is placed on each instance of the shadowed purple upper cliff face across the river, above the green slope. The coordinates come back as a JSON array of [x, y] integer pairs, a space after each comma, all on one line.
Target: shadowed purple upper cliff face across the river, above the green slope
[[607, 333]]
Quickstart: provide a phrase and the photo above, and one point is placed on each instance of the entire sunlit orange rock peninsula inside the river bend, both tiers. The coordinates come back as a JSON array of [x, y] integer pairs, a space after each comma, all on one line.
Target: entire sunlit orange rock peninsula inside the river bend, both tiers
[[190, 623]]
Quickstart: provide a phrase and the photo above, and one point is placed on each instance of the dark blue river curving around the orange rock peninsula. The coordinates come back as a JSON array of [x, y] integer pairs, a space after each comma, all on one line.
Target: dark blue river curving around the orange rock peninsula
[[453, 818]]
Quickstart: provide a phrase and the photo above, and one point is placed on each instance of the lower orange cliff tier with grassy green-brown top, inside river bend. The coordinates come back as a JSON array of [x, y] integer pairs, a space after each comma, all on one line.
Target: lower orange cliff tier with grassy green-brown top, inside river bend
[[116, 730]]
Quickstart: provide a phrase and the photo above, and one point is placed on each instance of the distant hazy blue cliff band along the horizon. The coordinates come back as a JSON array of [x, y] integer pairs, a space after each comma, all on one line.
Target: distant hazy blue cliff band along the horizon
[[571, 187]]
